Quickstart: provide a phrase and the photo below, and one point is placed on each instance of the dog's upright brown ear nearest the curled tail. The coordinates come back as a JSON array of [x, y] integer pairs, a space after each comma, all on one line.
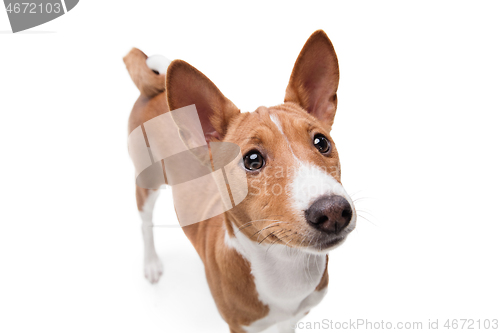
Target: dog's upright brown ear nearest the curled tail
[[186, 86]]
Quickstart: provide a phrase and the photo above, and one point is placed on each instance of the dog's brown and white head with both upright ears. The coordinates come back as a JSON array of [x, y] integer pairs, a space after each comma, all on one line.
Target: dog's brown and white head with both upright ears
[[293, 169]]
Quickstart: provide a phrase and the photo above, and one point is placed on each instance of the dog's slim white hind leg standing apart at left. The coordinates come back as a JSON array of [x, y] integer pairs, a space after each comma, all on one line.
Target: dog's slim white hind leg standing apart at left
[[146, 199]]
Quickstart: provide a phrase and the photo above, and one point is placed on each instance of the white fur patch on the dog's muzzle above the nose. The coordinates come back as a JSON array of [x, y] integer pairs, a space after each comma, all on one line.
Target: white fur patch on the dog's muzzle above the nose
[[310, 183]]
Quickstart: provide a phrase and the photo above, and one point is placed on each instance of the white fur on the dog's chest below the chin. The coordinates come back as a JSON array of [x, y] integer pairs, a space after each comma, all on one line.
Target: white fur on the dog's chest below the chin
[[285, 279]]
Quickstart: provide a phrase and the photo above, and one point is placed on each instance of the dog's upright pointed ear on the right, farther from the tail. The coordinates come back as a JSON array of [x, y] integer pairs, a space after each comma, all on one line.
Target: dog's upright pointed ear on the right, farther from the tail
[[315, 78]]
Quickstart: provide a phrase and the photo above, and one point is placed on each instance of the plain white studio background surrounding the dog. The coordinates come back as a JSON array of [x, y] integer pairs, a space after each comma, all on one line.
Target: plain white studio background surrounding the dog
[[416, 129]]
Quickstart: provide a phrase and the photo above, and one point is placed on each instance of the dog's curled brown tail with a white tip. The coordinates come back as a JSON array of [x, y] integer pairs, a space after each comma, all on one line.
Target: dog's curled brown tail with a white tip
[[148, 73]]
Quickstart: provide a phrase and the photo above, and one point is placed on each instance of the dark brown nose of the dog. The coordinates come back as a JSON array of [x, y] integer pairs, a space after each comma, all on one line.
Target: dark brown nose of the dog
[[330, 214]]
